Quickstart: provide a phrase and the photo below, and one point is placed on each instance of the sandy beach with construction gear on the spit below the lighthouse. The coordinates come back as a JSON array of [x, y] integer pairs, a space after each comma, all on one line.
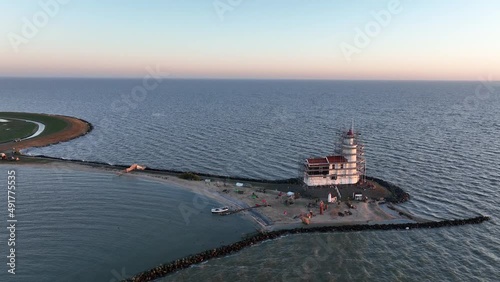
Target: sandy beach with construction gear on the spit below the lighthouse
[[272, 213]]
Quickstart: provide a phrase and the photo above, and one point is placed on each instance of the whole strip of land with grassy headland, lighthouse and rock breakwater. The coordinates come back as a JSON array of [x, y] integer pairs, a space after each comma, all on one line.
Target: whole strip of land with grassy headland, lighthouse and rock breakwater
[[332, 195]]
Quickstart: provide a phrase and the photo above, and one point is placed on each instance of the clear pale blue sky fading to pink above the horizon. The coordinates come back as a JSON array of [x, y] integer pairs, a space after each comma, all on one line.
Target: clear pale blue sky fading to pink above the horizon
[[302, 39]]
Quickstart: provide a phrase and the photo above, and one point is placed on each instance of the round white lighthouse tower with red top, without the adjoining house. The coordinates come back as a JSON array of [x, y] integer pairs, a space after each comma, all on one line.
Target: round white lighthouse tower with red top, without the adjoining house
[[349, 151]]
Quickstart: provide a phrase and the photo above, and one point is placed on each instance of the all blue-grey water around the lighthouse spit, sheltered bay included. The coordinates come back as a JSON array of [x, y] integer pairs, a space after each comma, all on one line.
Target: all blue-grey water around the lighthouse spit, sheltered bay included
[[438, 140]]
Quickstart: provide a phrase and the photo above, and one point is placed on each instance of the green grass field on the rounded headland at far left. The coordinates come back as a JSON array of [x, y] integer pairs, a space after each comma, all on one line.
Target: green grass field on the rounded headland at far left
[[14, 129]]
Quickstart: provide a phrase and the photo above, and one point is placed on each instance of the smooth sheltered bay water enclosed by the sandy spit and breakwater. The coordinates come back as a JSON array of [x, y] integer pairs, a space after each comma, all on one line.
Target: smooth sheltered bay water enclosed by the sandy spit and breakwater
[[84, 225]]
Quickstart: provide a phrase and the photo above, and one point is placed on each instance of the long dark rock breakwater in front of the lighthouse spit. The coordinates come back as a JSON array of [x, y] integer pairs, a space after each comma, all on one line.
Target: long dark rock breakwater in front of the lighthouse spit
[[179, 264]]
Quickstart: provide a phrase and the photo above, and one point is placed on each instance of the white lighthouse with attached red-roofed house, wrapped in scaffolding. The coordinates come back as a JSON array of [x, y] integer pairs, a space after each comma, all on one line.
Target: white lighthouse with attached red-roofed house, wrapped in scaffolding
[[345, 168]]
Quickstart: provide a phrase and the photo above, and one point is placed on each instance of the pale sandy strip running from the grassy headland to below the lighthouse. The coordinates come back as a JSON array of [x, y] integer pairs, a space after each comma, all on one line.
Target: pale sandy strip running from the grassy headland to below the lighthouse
[[262, 199]]
